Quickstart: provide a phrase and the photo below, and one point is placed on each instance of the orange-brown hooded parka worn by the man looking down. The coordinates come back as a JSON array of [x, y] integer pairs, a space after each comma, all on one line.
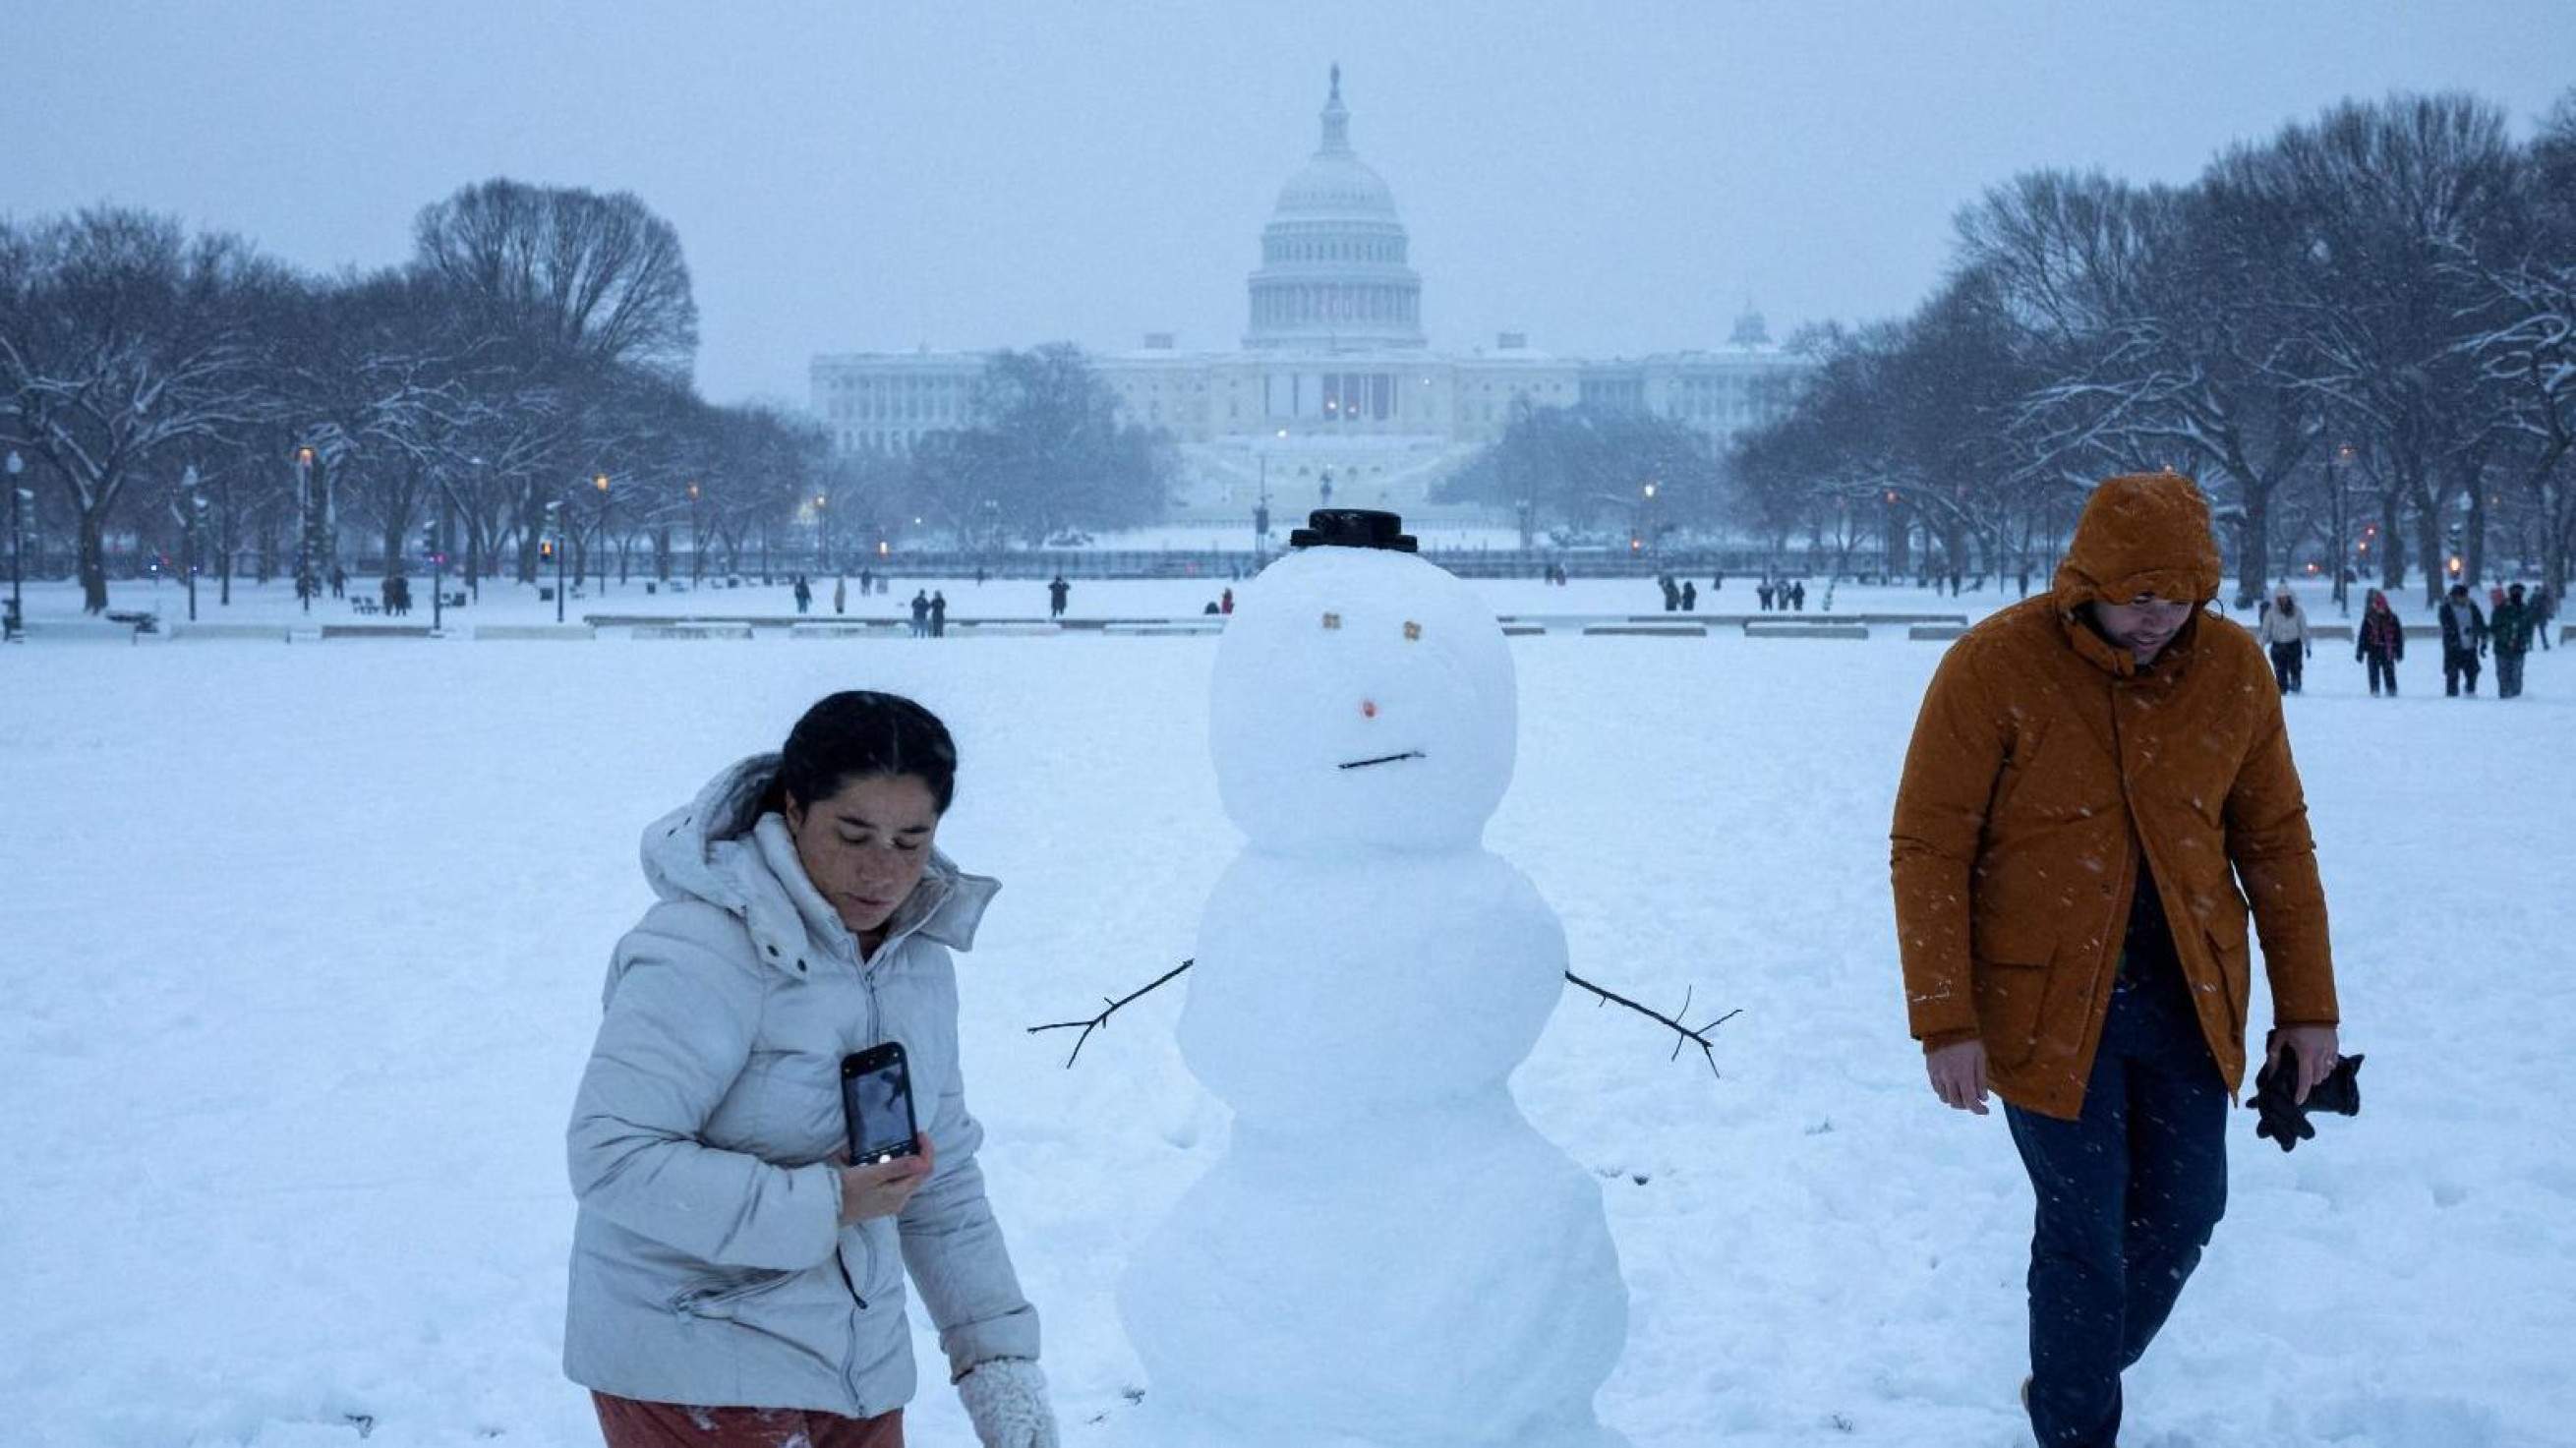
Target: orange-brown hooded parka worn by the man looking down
[[2047, 767]]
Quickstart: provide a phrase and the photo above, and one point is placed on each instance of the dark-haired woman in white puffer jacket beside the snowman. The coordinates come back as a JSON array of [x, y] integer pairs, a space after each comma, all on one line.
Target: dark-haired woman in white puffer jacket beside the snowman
[[735, 1282]]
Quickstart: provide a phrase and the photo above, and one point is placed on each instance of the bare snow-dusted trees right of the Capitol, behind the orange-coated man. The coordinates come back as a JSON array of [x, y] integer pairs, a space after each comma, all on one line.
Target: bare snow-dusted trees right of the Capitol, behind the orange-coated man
[[2358, 334]]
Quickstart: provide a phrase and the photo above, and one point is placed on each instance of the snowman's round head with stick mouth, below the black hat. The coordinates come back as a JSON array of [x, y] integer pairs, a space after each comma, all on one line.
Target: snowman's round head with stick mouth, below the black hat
[[1361, 697]]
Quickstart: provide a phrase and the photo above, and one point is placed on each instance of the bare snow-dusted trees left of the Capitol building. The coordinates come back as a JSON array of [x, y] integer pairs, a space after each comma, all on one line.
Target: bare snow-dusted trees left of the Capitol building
[[522, 383]]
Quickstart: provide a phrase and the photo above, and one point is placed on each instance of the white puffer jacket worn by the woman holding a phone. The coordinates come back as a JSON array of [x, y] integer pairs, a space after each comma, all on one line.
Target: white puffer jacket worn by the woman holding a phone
[[710, 1264]]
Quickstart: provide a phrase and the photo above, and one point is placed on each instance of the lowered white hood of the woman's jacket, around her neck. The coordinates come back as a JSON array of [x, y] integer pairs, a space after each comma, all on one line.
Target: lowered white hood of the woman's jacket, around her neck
[[723, 849]]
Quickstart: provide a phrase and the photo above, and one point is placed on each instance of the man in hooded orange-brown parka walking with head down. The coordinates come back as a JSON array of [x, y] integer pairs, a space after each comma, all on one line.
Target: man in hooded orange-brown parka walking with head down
[[2098, 792]]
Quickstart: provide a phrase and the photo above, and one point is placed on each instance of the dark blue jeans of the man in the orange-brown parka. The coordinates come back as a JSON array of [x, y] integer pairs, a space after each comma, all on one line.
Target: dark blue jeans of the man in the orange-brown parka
[[2126, 1202]]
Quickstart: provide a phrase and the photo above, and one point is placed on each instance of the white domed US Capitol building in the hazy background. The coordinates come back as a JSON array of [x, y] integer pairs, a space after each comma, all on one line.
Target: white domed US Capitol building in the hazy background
[[1336, 395]]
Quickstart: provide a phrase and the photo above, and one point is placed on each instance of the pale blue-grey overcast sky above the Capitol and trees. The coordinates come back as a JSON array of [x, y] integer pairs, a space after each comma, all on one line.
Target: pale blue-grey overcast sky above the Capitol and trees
[[1609, 179]]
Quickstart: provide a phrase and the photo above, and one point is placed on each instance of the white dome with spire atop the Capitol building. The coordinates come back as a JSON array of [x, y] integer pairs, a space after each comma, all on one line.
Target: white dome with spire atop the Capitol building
[[1336, 256]]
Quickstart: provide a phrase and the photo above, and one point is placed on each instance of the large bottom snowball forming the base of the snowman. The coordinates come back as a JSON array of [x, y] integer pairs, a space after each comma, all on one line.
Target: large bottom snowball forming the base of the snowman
[[1441, 1279]]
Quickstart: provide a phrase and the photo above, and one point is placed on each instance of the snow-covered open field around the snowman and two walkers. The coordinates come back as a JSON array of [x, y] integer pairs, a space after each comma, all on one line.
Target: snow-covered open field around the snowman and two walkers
[[303, 957]]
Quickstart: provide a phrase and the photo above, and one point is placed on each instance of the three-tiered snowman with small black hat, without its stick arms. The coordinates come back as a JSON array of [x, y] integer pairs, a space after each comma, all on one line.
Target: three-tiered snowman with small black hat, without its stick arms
[[1387, 1253]]
